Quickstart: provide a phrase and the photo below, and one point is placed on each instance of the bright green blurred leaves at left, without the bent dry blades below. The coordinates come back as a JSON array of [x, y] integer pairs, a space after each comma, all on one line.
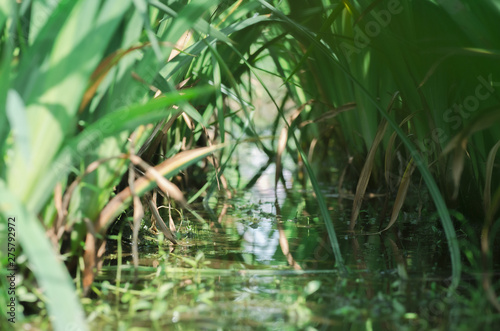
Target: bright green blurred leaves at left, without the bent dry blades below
[[79, 76]]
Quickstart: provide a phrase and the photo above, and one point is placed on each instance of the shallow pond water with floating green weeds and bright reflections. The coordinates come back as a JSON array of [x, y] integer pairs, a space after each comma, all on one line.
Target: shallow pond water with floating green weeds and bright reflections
[[262, 260]]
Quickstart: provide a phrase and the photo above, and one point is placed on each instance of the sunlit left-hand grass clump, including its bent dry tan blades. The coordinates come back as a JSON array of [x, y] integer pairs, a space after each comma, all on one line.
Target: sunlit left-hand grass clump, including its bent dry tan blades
[[83, 83]]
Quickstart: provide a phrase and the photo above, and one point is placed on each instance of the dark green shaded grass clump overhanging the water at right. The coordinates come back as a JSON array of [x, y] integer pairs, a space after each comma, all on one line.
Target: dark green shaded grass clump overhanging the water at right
[[439, 61]]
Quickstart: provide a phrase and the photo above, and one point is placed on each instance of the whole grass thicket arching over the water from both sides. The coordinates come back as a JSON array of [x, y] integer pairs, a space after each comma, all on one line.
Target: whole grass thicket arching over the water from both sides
[[108, 106]]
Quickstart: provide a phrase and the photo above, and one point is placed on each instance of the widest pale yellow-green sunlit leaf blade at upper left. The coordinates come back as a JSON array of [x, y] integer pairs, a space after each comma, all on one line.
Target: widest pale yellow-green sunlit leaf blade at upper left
[[53, 90]]
